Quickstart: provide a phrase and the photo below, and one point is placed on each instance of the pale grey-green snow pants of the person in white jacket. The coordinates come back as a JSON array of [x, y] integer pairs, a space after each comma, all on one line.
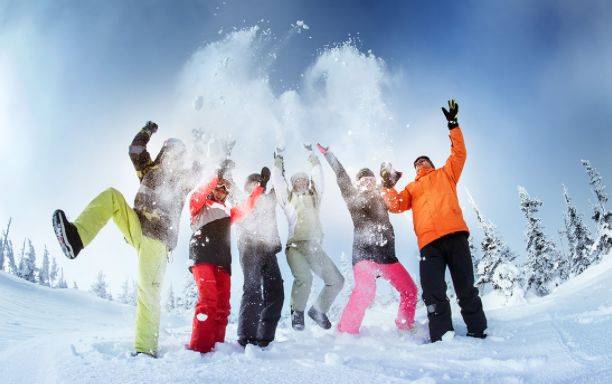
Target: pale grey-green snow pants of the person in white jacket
[[305, 257]]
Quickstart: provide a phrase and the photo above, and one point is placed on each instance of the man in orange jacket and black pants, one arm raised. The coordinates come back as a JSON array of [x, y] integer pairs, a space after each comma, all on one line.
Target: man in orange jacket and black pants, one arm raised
[[441, 232]]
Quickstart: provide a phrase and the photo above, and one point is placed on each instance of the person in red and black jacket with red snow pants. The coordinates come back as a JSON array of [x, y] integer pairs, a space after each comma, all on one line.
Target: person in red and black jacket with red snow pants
[[210, 253]]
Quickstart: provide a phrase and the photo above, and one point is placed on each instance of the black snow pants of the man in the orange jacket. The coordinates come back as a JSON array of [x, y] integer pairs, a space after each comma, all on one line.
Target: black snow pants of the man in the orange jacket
[[453, 251]]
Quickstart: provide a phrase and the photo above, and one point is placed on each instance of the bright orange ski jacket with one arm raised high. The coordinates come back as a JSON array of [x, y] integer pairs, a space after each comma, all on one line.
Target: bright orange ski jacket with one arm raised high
[[432, 196]]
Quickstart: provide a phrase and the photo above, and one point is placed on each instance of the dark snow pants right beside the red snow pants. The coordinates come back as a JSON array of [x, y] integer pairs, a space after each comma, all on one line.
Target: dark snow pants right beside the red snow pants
[[263, 293]]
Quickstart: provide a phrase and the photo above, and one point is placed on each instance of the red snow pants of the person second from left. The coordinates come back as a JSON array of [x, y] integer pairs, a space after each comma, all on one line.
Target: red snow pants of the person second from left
[[212, 308]]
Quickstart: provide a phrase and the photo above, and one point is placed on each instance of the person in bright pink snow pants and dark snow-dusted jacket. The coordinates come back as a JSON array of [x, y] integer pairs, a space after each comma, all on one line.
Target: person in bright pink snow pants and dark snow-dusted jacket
[[373, 249]]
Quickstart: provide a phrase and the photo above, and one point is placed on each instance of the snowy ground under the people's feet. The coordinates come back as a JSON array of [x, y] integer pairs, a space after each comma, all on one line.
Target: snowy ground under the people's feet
[[67, 336]]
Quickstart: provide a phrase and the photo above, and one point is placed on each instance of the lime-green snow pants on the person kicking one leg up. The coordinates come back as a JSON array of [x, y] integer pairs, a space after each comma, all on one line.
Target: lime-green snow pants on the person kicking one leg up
[[152, 260]]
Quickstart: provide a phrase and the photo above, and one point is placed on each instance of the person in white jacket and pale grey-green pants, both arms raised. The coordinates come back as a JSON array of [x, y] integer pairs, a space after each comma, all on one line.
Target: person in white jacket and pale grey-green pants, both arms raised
[[301, 202]]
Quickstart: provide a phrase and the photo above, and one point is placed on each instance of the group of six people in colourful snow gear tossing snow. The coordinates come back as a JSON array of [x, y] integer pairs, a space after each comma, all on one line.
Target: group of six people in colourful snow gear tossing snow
[[151, 227]]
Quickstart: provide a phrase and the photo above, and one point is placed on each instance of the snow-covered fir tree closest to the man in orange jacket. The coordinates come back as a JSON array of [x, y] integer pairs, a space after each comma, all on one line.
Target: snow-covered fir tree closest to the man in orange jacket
[[496, 266]]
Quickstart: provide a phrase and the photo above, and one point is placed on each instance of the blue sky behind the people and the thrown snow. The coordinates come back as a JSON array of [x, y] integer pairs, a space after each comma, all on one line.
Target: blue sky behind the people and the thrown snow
[[534, 81]]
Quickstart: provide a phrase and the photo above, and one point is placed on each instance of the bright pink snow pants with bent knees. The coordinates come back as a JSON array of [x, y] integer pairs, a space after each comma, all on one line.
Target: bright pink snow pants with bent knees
[[363, 293]]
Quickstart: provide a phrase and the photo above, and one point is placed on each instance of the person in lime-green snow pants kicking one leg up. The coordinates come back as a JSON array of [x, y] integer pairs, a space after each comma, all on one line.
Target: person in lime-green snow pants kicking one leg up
[[151, 227]]
